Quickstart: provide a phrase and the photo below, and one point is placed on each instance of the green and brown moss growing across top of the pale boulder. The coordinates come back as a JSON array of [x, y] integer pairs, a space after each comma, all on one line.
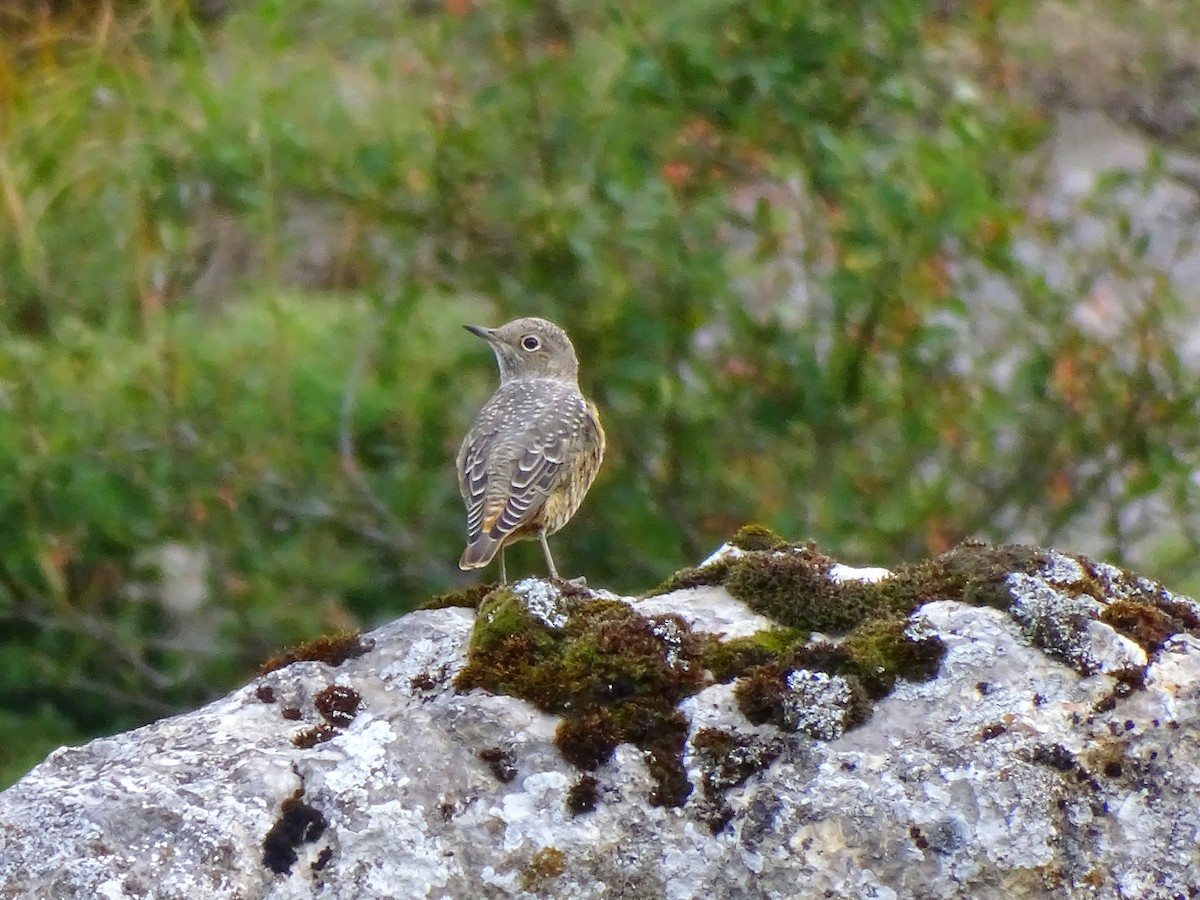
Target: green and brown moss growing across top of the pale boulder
[[617, 676]]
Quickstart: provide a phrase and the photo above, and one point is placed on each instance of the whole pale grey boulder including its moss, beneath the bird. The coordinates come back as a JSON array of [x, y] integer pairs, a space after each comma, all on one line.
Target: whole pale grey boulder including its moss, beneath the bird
[[1049, 748]]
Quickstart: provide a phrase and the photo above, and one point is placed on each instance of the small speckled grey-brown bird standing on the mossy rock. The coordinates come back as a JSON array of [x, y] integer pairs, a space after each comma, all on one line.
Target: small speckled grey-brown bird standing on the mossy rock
[[535, 449]]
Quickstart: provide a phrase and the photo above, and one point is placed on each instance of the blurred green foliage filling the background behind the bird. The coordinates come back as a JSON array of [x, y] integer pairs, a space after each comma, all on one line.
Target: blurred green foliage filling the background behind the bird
[[236, 255]]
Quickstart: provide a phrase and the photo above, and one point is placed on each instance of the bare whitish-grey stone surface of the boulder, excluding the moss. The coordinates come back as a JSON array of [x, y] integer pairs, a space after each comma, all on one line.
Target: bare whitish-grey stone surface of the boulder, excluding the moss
[[998, 779]]
